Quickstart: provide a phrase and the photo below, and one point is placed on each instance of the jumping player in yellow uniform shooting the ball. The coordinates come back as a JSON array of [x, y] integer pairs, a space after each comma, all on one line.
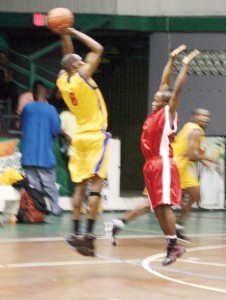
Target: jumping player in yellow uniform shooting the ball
[[91, 141]]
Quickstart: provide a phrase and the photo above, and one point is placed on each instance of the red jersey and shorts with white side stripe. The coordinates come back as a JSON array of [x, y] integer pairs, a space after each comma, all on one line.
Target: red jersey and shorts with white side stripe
[[160, 171]]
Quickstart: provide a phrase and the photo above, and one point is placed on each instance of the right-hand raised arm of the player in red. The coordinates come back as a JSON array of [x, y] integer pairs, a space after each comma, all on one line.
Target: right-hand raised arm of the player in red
[[179, 84]]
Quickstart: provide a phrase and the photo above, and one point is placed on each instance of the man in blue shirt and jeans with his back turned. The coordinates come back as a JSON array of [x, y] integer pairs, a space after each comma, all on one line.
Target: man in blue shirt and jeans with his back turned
[[40, 123]]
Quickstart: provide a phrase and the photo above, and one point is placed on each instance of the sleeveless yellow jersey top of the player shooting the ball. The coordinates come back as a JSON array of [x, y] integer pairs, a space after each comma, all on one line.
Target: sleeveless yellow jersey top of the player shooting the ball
[[85, 101]]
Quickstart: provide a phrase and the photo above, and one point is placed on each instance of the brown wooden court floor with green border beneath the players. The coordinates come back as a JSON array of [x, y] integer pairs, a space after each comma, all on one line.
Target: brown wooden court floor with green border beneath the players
[[36, 263]]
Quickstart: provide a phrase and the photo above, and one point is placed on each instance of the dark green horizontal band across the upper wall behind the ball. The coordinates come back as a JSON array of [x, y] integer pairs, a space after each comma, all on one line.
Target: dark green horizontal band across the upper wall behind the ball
[[88, 22]]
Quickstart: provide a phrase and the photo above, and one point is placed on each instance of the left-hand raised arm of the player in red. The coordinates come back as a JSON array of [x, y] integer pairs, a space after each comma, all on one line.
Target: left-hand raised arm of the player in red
[[167, 72]]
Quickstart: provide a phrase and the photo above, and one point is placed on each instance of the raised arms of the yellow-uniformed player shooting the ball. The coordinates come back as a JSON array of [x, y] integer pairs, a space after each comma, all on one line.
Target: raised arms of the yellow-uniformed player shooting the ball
[[92, 58]]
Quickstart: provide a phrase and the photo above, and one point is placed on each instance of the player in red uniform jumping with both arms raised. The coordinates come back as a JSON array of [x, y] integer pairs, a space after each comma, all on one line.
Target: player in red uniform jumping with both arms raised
[[160, 171]]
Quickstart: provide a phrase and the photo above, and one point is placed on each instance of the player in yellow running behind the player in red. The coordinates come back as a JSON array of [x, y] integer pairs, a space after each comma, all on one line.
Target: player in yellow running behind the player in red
[[187, 151]]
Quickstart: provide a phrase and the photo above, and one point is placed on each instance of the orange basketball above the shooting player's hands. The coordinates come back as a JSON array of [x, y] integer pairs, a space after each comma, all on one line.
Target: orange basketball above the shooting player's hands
[[58, 18]]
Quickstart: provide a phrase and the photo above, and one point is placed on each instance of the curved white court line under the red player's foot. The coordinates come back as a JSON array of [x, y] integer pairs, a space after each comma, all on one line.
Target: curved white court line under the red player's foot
[[146, 265]]
